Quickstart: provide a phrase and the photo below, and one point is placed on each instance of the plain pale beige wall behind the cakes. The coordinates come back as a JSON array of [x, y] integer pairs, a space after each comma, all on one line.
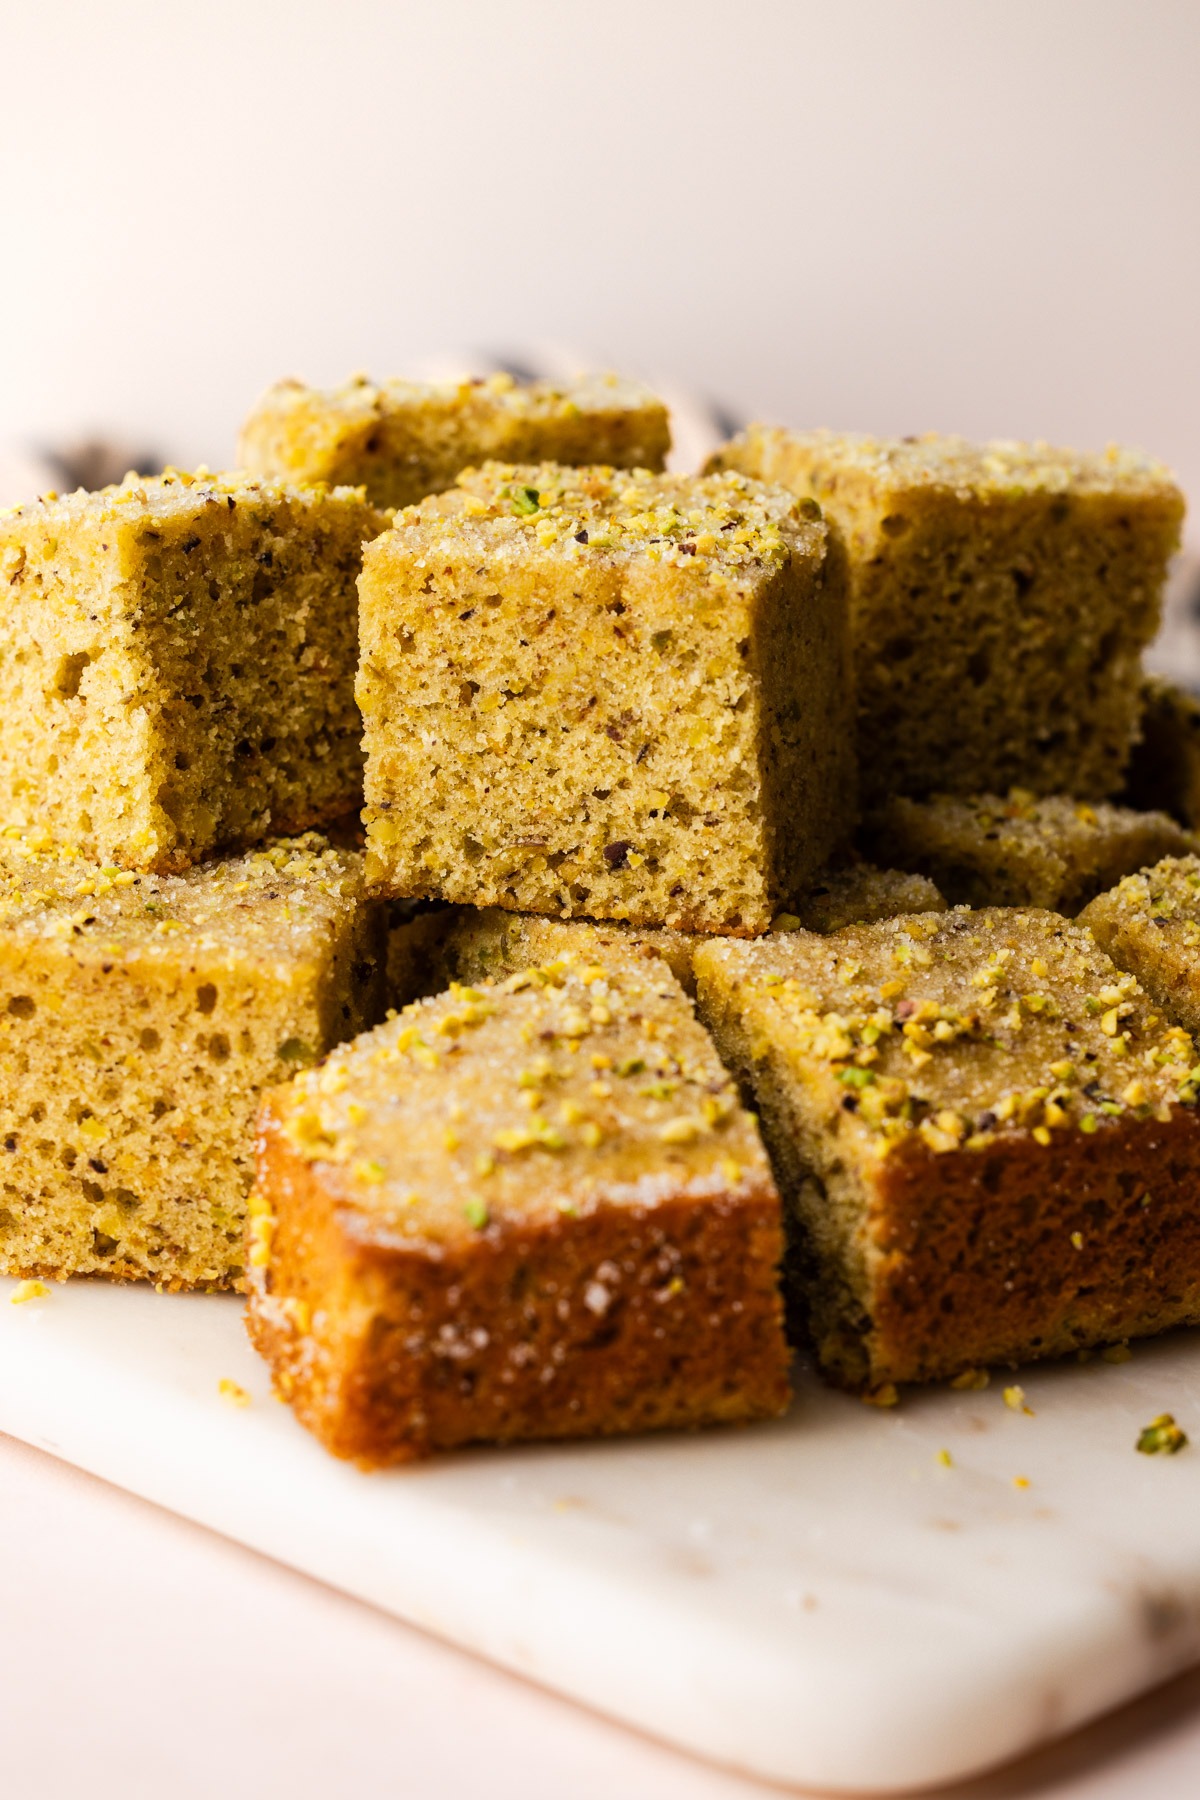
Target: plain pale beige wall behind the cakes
[[875, 213]]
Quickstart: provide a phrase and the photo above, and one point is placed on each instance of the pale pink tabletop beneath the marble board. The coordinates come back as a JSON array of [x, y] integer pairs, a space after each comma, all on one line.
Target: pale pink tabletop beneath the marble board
[[129, 1626]]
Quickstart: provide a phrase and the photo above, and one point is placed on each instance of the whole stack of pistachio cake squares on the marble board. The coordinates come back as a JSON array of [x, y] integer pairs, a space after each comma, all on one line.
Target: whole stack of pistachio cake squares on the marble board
[[562, 935]]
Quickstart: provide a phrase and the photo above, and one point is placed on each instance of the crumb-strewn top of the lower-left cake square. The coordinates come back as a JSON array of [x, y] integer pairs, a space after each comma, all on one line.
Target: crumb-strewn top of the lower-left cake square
[[269, 906]]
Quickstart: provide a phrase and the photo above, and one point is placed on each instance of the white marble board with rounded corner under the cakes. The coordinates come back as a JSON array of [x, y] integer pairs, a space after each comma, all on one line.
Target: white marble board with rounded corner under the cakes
[[827, 1603]]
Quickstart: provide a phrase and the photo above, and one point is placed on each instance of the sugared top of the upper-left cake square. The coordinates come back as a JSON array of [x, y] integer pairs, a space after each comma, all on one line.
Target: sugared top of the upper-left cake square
[[174, 496]]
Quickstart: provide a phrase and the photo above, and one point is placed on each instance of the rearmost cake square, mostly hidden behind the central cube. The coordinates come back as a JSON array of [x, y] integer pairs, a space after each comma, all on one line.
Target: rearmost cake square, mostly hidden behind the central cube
[[404, 440]]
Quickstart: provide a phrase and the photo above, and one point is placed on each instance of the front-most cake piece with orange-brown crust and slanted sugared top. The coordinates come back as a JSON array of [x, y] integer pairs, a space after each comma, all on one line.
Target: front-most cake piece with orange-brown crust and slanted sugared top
[[526, 1210]]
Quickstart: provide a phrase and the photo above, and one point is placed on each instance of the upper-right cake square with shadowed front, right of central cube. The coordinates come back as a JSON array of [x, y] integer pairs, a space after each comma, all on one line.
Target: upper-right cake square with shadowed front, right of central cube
[[1001, 597]]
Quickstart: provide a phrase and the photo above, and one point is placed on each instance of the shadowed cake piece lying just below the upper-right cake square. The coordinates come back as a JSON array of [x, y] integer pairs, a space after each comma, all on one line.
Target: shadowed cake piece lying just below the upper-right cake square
[[1019, 850]]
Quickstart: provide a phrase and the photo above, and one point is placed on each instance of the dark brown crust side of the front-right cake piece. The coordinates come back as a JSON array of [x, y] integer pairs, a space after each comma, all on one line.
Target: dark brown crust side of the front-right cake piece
[[1021, 1288]]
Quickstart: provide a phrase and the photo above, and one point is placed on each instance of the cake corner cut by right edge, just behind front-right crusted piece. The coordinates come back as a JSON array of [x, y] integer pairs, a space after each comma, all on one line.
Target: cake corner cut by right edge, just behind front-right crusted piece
[[1151, 926]]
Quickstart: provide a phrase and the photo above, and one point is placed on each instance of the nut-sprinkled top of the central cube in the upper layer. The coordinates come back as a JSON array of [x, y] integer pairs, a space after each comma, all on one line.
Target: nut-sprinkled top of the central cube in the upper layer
[[713, 525]]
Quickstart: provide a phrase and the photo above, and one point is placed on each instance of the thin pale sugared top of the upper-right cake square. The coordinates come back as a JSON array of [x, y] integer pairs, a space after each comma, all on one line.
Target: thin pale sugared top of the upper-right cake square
[[998, 469]]
